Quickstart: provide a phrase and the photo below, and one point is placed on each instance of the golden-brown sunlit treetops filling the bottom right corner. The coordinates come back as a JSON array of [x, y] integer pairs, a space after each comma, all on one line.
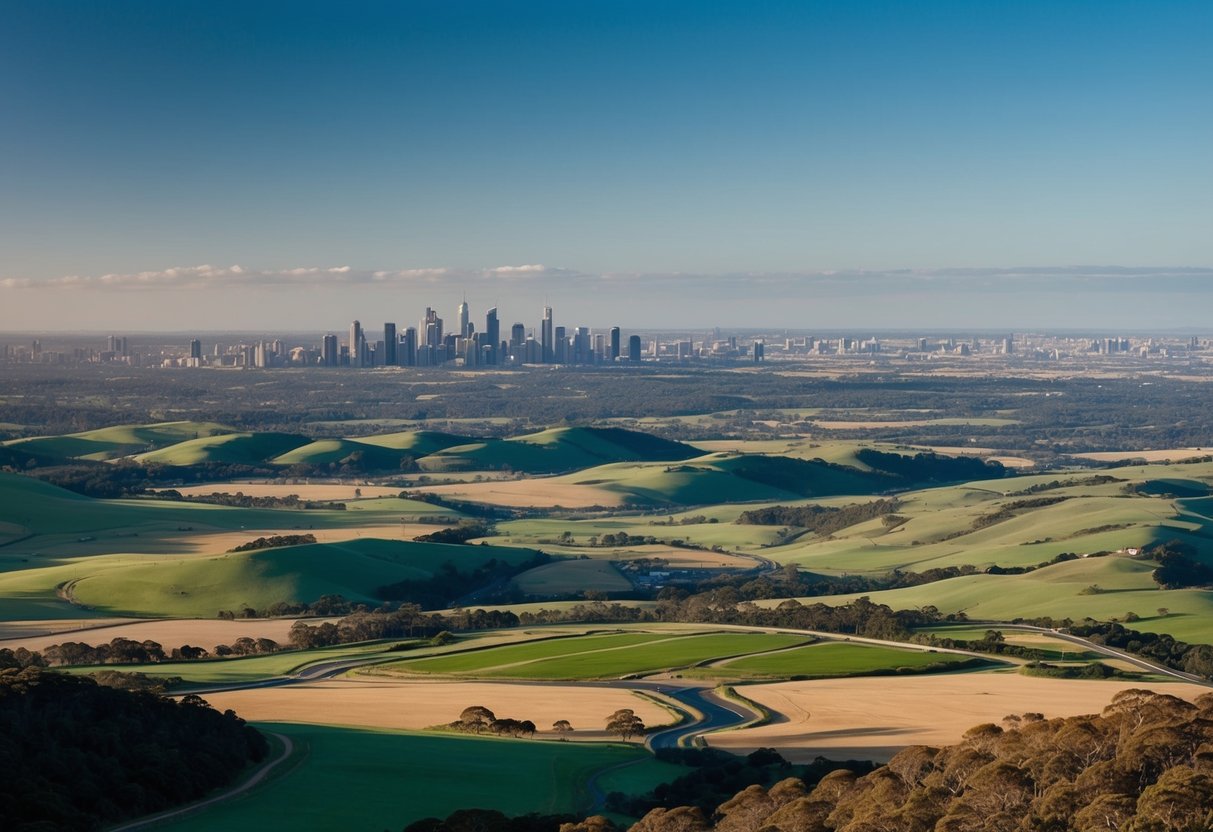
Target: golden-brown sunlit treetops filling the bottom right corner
[[1146, 765]]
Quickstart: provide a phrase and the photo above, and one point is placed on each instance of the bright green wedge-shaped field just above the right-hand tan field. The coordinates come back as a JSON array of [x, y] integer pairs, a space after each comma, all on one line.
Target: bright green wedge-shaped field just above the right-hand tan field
[[832, 659]]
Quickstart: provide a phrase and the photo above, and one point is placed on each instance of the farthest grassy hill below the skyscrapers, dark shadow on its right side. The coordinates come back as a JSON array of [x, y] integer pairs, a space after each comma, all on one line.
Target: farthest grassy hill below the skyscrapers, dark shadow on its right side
[[559, 449]]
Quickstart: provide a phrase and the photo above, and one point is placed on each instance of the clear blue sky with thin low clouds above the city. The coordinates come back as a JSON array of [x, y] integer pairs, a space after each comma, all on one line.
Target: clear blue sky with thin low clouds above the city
[[708, 146]]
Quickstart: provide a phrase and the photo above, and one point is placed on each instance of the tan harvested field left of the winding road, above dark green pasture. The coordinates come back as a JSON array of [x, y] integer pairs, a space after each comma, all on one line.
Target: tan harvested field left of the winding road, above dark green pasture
[[381, 703]]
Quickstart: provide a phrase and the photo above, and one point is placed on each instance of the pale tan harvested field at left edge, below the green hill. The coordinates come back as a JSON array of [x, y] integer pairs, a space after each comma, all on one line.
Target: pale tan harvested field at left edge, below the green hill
[[169, 632]]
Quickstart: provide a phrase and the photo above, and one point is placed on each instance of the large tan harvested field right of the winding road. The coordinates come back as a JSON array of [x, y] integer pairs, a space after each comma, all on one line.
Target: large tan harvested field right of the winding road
[[874, 719]]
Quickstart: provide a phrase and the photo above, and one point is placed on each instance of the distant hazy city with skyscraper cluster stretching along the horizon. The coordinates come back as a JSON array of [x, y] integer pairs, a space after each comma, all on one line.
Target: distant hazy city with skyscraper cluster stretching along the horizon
[[462, 345]]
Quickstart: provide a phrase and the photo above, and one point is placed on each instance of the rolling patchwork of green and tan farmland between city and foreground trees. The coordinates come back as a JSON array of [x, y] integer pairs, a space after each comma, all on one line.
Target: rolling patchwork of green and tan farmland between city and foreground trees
[[622, 515]]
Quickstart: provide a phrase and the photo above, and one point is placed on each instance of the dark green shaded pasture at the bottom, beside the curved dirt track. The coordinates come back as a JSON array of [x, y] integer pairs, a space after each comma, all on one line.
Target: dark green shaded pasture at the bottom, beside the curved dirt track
[[358, 779]]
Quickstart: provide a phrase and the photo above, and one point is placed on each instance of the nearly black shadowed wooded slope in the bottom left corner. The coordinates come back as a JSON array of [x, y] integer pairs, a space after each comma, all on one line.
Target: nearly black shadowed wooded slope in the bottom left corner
[[79, 756]]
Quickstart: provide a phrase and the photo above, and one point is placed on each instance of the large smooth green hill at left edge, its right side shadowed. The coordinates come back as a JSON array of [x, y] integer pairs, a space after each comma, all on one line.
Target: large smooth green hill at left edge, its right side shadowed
[[201, 586]]
